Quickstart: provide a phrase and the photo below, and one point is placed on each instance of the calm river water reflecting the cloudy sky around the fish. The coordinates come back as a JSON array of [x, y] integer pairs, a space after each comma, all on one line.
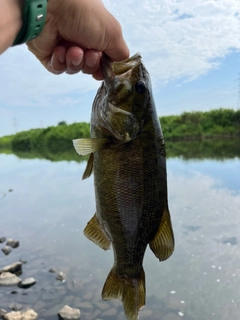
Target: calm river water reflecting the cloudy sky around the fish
[[50, 207]]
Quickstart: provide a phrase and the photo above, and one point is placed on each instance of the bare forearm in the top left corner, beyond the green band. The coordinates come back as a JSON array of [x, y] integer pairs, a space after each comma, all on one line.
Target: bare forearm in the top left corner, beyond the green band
[[10, 22]]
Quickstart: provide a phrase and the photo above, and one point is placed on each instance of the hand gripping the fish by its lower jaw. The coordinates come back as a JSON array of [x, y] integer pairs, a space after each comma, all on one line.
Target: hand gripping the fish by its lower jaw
[[75, 34]]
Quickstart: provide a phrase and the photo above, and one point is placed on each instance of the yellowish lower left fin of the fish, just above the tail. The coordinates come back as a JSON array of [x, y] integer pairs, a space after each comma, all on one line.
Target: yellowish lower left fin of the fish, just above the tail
[[94, 232]]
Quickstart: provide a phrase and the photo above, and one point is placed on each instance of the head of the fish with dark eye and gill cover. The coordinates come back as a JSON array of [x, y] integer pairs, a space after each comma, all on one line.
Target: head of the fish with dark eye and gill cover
[[125, 95]]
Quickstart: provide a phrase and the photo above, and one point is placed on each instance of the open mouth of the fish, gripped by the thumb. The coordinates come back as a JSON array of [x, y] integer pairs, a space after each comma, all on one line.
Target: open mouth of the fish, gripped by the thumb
[[111, 69]]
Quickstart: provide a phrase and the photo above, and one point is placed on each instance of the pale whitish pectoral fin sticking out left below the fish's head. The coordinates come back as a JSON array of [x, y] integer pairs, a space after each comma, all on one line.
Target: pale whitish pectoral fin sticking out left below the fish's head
[[89, 145]]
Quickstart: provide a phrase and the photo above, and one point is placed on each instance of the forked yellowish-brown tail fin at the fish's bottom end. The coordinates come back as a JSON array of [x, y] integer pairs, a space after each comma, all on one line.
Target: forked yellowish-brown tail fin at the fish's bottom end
[[130, 290]]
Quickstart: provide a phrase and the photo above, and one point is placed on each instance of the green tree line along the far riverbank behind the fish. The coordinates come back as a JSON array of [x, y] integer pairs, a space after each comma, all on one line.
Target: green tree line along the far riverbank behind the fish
[[54, 142]]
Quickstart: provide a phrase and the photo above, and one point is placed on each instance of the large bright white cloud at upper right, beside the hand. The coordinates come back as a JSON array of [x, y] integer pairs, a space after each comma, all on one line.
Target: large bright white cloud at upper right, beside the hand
[[180, 38]]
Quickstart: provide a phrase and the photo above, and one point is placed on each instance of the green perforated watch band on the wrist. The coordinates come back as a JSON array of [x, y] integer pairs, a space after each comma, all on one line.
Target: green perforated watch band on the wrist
[[34, 15]]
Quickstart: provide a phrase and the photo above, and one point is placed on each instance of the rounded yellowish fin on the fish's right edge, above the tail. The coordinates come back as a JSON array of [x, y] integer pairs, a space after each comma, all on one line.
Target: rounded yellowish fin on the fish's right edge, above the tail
[[163, 243]]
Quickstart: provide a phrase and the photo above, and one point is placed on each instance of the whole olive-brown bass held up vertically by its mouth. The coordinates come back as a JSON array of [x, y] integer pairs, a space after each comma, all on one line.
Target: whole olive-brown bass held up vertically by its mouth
[[127, 156]]
